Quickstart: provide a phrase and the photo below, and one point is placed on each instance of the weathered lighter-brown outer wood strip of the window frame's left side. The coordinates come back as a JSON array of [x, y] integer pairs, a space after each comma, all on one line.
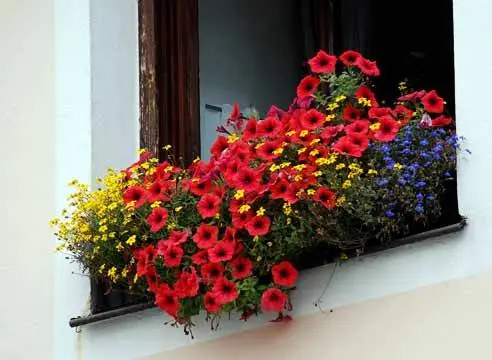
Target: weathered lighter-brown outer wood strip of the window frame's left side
[[149, 111]]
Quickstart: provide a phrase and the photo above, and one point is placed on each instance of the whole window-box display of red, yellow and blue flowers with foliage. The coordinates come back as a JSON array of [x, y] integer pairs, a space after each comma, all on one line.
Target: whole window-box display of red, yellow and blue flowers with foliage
[[336, 168]]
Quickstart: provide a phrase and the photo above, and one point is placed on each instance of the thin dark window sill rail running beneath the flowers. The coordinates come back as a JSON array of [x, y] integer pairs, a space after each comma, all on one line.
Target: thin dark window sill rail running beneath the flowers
[[89, 319]]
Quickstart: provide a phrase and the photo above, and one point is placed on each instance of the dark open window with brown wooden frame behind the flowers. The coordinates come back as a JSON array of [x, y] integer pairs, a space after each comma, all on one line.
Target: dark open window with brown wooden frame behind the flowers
[[199, 56]]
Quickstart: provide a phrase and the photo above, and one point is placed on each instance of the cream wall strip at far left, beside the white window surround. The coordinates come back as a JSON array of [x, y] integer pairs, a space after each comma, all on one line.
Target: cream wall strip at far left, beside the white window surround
[[26, 179]]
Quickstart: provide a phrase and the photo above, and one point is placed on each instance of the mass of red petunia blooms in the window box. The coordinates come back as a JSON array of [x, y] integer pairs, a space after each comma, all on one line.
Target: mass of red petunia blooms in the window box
[[257, 163]]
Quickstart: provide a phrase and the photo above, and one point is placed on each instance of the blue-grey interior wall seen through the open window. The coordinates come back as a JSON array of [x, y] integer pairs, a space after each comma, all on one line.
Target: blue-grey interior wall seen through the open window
[[249, 54]]
